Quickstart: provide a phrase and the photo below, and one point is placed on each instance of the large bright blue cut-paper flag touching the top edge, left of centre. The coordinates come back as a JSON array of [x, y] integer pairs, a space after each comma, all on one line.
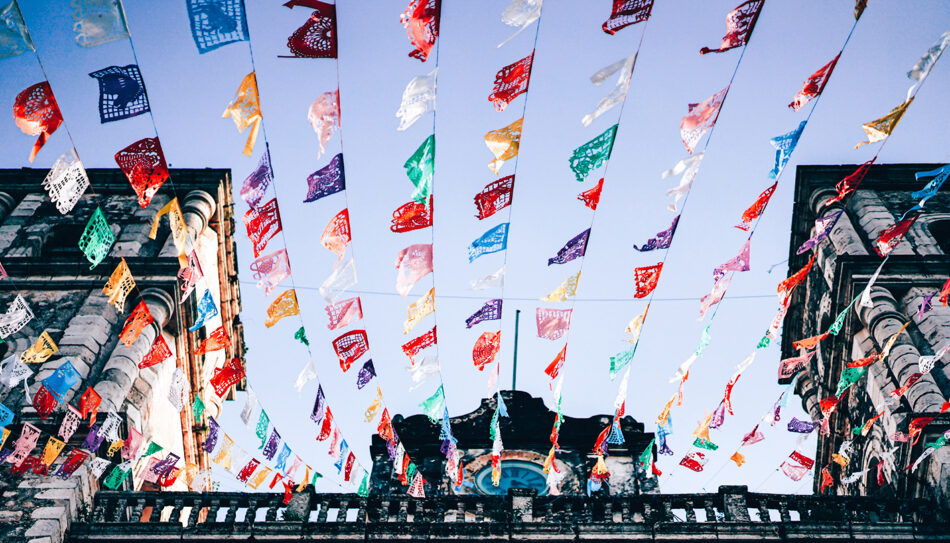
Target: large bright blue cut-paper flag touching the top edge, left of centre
[[216, 23]]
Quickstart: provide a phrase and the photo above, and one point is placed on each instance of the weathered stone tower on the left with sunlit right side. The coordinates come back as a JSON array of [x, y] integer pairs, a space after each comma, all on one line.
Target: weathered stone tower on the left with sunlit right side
[[39, 250]]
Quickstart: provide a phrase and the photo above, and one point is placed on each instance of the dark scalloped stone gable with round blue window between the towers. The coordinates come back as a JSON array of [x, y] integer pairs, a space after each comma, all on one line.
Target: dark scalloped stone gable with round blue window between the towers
[[526, 434]]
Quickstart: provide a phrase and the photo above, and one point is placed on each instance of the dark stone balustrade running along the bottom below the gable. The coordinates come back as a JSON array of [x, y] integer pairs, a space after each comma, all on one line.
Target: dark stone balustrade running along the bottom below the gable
[[732, 512]]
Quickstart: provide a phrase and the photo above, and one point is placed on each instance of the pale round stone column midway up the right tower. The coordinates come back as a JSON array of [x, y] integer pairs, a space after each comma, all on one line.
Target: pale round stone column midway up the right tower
[[883, 320]]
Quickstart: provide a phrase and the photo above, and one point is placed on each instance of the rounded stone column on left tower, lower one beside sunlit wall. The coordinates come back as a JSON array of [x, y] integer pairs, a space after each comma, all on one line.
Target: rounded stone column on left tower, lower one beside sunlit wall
[[120, 371]]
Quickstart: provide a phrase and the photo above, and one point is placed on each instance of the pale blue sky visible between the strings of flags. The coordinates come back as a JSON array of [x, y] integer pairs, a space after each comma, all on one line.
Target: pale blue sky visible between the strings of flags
[[793, 38]]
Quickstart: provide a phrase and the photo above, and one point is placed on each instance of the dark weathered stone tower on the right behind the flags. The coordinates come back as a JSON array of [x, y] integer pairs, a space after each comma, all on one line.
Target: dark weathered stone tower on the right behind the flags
[[844, 266]]
